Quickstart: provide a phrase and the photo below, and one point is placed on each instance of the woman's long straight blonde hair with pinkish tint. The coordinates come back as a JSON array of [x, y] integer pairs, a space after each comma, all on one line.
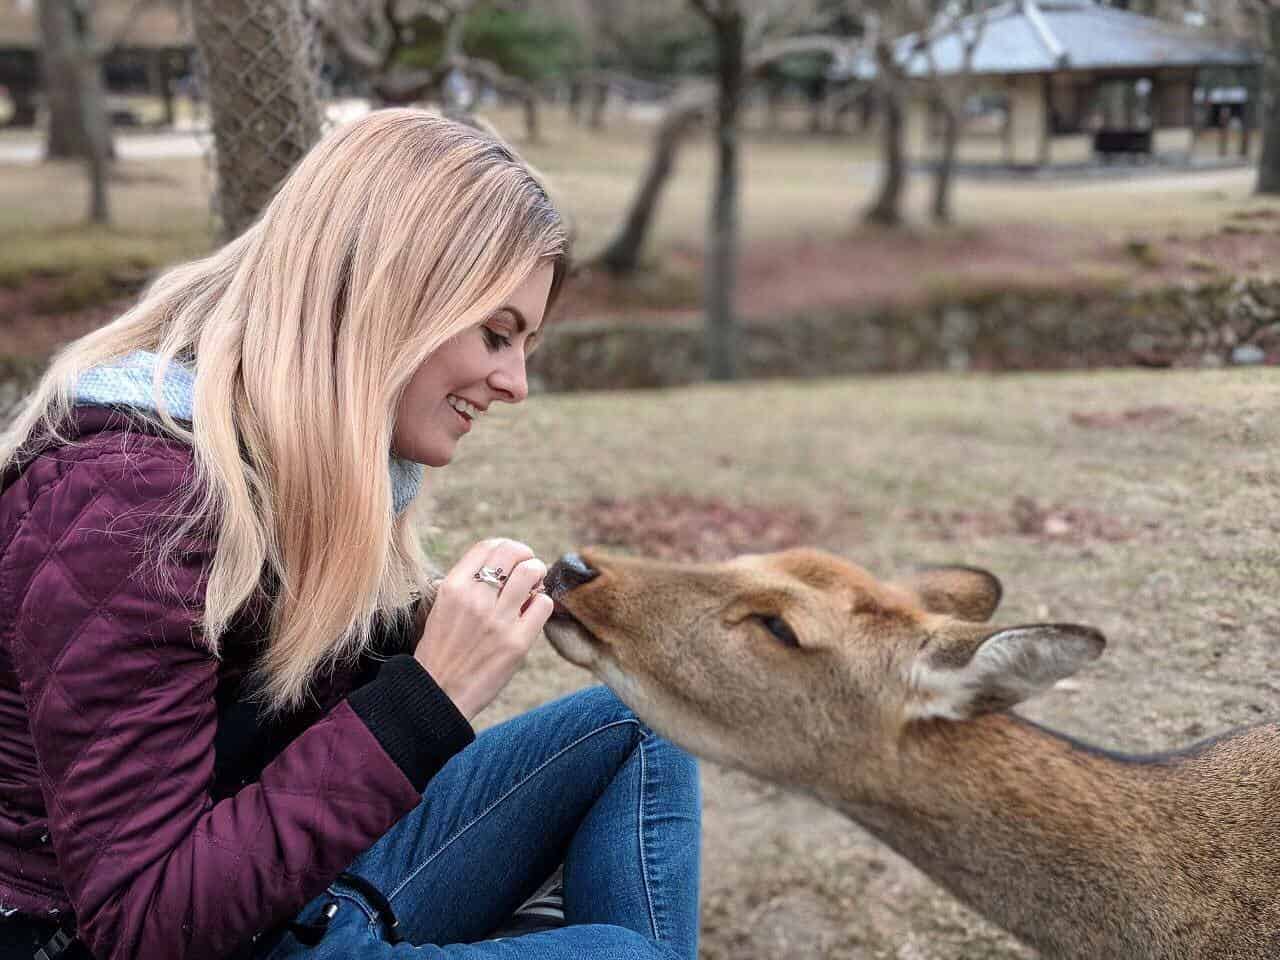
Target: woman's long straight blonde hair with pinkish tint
[[394, 235]]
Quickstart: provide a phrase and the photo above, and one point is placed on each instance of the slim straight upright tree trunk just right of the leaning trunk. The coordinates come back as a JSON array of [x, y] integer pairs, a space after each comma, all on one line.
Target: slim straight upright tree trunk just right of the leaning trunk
[[723, 227]]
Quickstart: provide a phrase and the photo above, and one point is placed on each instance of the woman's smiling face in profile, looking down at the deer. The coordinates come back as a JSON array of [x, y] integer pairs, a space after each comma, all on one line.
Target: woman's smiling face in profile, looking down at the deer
[[482, 365]]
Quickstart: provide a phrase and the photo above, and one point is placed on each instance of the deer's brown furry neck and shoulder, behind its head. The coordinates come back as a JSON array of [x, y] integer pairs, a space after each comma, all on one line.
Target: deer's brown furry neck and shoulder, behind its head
[[1085, 854]]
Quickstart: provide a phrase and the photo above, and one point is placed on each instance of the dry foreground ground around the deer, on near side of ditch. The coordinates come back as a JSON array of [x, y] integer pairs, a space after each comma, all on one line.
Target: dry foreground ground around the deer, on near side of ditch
[[1144, 504]]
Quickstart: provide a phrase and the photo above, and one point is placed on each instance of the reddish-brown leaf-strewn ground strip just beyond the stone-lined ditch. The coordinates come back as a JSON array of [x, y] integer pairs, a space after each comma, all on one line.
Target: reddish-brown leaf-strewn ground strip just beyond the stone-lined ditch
[[871, 268]]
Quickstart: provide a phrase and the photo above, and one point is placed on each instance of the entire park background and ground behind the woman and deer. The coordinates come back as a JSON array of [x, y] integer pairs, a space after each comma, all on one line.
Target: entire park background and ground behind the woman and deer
[[908, 280]]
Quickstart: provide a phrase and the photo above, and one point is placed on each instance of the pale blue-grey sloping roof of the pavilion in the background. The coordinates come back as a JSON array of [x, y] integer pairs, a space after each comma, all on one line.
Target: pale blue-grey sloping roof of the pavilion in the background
[[1050, 36]]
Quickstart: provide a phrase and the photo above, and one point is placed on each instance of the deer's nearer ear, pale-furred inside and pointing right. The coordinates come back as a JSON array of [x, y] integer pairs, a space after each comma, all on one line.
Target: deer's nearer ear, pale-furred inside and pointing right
[[991, 673]]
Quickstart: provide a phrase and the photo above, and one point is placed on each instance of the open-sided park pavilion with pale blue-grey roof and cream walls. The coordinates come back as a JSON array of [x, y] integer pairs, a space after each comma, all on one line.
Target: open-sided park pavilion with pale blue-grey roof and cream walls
[[1080, 77]]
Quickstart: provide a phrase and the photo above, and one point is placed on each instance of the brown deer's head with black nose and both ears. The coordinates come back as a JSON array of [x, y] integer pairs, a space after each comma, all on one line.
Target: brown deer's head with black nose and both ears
[[774, 662]]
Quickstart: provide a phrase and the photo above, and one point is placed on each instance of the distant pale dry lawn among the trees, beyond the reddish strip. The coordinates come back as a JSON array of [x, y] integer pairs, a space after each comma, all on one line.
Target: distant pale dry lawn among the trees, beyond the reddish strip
[[796, 188]]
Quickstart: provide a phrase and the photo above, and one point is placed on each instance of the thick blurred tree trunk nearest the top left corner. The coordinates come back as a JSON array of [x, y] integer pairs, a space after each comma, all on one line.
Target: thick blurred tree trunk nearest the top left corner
[[74, 74]]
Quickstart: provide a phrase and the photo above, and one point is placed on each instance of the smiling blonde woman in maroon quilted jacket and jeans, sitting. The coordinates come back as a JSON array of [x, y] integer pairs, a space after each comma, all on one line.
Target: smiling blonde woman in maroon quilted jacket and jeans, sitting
[[225, 728]]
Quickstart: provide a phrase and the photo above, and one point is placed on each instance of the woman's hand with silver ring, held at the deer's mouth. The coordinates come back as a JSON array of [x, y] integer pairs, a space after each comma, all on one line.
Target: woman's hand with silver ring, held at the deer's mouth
[[477, 636]]
